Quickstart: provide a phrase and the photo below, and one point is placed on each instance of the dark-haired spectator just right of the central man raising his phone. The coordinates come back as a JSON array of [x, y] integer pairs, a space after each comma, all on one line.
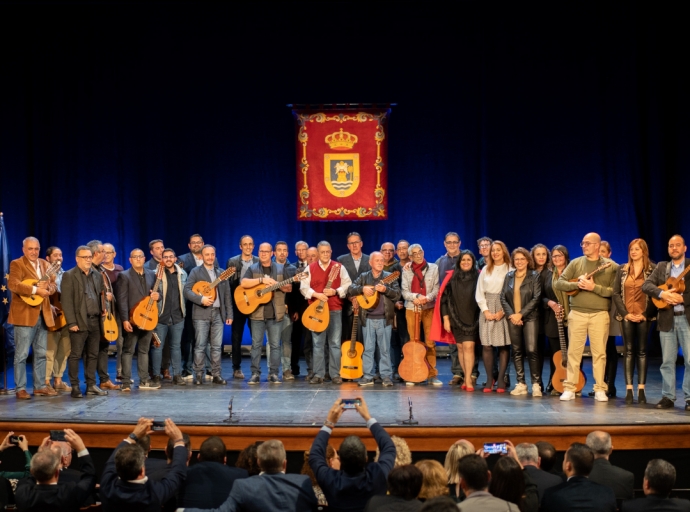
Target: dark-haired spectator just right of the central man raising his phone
[[404, 485]]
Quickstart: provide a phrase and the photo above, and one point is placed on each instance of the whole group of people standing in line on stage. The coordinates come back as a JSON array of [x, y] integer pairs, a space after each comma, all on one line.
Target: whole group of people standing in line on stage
[[504, 302]]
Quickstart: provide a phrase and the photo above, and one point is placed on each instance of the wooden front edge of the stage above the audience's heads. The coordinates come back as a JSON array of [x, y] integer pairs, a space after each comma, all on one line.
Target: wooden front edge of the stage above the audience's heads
[[625, 437]]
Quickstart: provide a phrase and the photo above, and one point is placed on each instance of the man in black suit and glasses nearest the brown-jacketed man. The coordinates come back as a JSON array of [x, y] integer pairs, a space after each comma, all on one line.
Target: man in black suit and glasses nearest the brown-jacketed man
[[81, 288]]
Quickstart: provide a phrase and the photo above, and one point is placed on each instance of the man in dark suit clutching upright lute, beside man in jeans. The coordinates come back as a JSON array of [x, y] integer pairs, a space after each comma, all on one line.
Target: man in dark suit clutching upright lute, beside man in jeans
[[133, 285]]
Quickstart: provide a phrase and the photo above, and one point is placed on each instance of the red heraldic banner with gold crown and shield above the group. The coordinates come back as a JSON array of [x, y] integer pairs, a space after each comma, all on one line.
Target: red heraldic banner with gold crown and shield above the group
[[342, 164]]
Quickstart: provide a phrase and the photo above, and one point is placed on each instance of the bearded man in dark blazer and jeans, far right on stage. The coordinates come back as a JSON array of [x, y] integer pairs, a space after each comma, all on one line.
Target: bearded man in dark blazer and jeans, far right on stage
[[673, 321]]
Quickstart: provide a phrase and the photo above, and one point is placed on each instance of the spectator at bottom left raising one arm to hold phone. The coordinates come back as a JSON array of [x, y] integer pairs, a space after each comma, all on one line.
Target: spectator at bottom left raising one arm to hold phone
[[41, 492]]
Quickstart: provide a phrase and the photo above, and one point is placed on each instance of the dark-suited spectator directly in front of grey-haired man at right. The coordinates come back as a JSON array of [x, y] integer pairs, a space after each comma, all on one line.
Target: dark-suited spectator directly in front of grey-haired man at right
[[579, 493]]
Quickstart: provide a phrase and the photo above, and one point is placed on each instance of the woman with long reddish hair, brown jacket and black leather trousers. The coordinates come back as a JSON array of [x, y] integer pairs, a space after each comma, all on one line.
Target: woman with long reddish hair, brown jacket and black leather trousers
[[635, 312]]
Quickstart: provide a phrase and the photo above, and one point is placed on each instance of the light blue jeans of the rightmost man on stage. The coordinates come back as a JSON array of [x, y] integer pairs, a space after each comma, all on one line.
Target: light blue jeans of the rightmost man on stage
[[670, 341]]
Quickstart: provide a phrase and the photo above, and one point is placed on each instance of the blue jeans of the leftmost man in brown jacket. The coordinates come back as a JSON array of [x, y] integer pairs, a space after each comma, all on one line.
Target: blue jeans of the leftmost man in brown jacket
[[25, 338]]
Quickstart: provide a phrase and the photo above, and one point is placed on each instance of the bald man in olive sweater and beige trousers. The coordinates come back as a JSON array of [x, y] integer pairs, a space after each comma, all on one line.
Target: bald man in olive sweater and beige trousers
[[589, 314]]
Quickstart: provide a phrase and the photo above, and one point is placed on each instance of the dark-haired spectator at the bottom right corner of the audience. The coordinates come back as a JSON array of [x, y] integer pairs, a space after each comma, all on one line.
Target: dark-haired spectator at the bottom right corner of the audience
[[659, 479]]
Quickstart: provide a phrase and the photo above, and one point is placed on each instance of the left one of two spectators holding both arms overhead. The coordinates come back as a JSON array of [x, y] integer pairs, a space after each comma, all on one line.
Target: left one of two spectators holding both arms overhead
[[124, 484]]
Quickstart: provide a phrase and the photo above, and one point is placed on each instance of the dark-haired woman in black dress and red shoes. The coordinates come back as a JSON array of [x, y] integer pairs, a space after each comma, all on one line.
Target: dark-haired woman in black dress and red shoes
[[460, 311]]
